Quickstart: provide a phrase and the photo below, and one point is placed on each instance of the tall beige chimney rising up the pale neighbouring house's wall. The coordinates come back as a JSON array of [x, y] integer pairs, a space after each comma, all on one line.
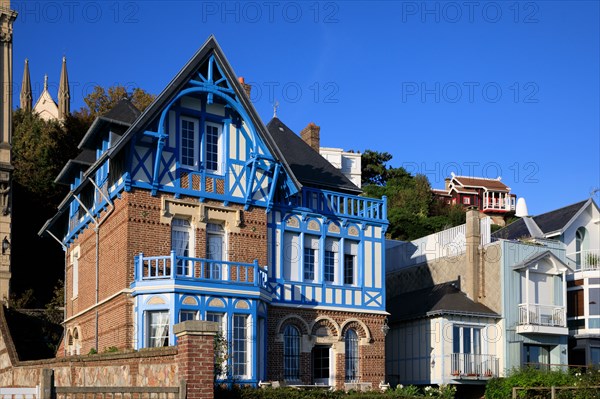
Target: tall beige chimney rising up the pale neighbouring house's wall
[[473, 237]]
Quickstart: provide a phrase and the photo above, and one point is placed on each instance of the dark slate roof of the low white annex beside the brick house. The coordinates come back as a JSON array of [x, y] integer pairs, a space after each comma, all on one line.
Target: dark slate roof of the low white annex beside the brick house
[[436, 300]]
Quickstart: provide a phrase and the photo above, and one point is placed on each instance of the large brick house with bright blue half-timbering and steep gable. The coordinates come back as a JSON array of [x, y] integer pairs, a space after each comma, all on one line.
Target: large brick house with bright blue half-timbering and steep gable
[[195, 209]]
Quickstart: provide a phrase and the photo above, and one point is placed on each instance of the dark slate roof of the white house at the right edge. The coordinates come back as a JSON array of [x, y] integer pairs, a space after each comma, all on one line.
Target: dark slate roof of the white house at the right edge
[[549, 222]]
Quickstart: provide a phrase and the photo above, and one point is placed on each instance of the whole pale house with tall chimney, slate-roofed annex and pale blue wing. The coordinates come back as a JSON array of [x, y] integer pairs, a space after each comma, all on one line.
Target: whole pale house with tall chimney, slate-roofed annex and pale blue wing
[[483, 306]]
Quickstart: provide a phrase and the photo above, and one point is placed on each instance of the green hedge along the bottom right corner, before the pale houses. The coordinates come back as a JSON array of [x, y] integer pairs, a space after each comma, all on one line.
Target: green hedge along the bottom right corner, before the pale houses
[[501, 388]]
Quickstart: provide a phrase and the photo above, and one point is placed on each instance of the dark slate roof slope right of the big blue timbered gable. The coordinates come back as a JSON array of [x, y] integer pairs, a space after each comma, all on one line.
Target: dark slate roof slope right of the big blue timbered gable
[[309, 167]]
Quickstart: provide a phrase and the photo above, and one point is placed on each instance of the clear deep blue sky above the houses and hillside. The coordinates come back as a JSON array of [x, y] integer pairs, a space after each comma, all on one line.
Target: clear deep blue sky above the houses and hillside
[[481, 88]]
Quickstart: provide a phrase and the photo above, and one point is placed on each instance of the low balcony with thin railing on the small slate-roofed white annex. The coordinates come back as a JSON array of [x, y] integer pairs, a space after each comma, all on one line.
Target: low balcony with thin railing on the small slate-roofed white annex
[[471, 366]]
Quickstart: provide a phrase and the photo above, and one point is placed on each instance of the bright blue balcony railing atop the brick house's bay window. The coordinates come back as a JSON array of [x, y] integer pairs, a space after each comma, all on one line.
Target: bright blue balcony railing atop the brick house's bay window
[[184, 269]]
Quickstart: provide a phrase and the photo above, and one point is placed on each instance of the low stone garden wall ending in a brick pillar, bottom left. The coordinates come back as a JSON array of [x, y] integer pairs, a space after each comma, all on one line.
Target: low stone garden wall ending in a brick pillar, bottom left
[[192, 361]]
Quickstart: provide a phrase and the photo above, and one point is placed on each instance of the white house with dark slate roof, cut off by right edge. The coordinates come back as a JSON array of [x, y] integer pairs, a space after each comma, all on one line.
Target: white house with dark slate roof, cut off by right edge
[[577, 227]]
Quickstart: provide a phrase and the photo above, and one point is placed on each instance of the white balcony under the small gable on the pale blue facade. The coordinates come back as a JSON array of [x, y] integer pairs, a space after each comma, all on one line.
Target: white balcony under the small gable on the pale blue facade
[[542, 319]]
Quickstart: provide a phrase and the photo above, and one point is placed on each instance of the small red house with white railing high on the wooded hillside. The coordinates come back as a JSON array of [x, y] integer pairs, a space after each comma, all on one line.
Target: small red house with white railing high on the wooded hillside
[[491, 196]]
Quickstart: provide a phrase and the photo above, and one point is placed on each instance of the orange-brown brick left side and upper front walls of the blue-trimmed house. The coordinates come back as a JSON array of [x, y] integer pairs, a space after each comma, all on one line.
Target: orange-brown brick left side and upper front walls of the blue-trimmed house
[[135, 226]]
